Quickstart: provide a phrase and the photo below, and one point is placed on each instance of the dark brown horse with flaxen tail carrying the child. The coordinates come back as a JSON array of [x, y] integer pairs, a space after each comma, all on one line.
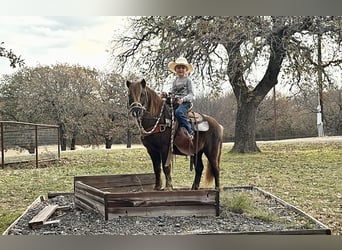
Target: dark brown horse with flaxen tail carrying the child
[[154, 118]]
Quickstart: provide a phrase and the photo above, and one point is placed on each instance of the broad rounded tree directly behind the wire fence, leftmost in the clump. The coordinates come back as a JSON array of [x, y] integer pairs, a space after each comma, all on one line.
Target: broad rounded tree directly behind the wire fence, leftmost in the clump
[[59, 94]]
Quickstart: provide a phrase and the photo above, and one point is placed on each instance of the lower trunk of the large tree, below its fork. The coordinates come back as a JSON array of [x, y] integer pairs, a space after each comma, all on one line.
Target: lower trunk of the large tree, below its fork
[[245, 128]]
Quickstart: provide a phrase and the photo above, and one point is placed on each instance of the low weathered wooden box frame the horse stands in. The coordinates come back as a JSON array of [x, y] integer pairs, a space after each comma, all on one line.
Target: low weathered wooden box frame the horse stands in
[[133, 195]]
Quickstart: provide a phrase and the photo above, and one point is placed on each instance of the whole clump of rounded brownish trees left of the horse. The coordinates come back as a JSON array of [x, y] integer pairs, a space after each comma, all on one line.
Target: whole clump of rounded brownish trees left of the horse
[[86, 104]]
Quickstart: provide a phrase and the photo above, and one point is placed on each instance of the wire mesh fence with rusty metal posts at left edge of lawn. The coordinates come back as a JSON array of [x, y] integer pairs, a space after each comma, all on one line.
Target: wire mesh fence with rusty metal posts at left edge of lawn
[[28, 142]]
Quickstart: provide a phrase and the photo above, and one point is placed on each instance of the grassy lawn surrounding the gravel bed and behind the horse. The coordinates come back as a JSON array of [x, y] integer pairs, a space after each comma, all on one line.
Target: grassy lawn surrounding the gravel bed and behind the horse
[[307, 175]]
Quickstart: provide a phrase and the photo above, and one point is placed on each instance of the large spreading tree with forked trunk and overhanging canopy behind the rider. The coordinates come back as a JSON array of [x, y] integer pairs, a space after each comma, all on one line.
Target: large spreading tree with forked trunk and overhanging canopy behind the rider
[[223, 49]]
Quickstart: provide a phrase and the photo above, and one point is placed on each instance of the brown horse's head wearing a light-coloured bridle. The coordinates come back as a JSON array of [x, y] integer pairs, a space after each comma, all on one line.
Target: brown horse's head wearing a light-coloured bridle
[[137, 97]]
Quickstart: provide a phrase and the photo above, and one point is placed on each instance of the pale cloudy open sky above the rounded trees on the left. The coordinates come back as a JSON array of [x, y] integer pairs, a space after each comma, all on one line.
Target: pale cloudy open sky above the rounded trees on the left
[[48, 40]]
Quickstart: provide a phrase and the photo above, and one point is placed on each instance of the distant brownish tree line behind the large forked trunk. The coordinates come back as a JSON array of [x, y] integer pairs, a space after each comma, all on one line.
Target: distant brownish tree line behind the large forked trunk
[[283, 118]]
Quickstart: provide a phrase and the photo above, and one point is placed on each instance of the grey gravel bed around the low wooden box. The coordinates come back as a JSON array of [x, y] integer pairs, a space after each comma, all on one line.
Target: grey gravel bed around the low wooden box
[[76, 222]]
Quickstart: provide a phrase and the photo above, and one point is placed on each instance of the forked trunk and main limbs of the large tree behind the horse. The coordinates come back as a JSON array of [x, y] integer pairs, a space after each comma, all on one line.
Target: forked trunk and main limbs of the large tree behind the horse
[[249, 100]]
